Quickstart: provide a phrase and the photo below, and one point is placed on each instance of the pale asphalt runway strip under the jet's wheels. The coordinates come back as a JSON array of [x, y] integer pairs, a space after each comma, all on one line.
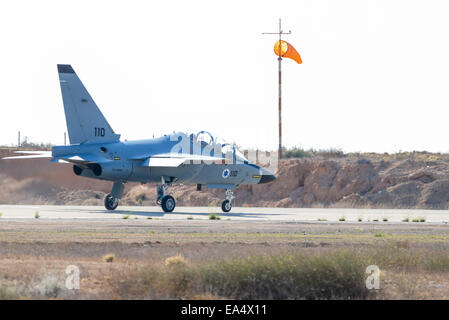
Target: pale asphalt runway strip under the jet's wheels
[[237, 213]]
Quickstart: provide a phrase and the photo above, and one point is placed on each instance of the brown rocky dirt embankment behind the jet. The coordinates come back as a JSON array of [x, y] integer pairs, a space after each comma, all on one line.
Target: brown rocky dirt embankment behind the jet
[[410, 181]]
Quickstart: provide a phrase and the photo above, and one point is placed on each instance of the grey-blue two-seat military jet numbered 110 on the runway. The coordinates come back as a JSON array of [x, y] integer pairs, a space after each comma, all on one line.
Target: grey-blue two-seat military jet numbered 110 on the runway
[[95, 151]]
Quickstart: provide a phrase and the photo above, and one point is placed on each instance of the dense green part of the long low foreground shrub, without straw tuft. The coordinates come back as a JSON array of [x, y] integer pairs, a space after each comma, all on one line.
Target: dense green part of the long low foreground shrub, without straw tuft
[[330, 276]]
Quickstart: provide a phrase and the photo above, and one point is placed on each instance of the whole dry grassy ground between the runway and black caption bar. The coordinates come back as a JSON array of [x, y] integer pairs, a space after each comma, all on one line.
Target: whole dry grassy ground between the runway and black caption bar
[[172, 260]]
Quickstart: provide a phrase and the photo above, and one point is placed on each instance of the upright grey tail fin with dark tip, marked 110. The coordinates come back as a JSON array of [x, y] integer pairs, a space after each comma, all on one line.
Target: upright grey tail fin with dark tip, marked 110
[[85, 122]]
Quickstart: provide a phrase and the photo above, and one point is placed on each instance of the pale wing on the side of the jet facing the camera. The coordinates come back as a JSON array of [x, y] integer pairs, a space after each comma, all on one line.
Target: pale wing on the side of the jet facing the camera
[[175, 159]]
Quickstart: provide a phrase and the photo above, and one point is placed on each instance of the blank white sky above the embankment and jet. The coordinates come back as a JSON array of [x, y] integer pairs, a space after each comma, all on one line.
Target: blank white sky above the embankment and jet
[[374, 78]]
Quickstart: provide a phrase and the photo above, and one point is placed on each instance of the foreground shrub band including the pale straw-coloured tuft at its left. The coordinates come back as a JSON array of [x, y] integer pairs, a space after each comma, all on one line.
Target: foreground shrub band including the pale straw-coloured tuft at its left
[[288, 276]]
